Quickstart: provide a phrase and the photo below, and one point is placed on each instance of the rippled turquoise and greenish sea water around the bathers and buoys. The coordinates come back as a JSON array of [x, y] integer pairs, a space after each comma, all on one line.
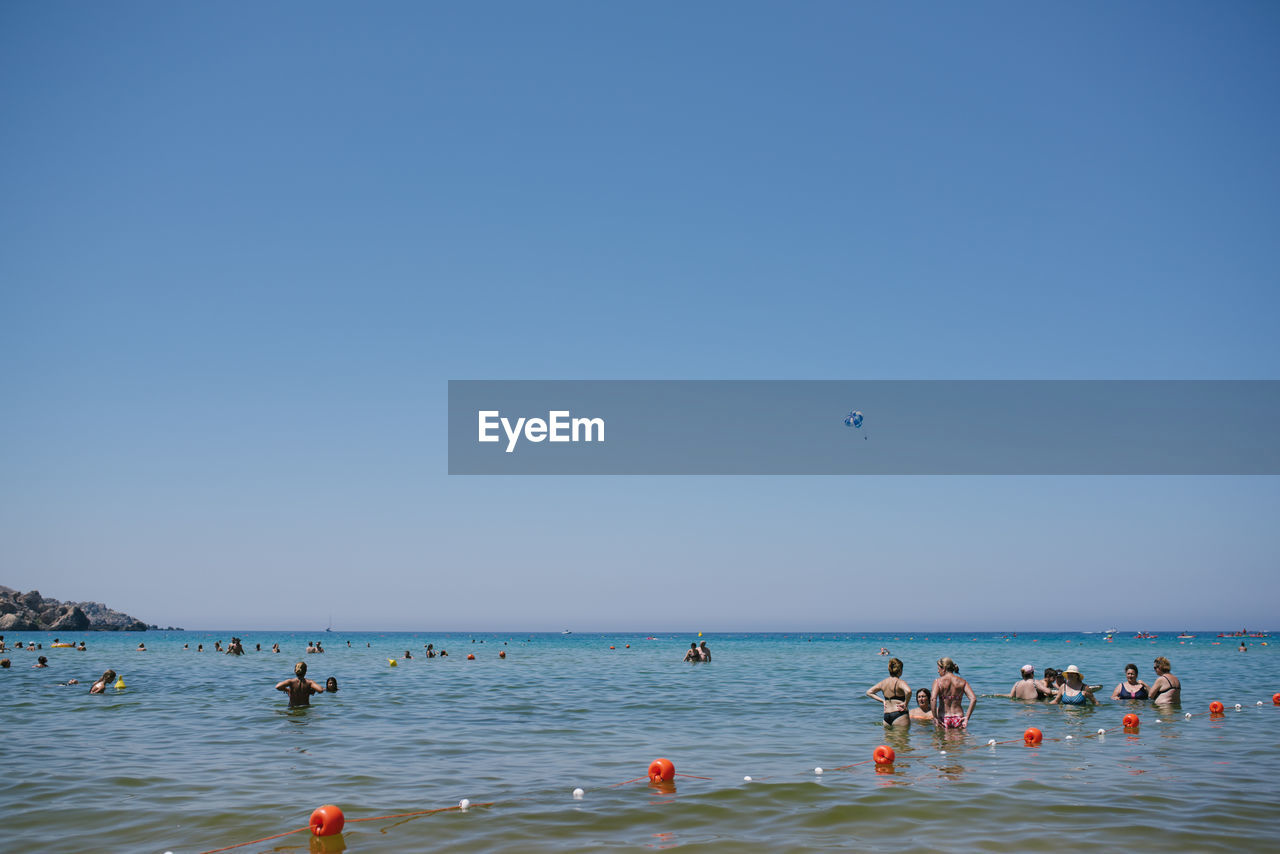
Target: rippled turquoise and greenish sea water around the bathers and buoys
[[199, 752]]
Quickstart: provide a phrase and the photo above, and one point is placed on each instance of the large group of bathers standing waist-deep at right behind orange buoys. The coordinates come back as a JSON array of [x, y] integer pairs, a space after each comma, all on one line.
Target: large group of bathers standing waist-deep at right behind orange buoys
[[943, 705]]
